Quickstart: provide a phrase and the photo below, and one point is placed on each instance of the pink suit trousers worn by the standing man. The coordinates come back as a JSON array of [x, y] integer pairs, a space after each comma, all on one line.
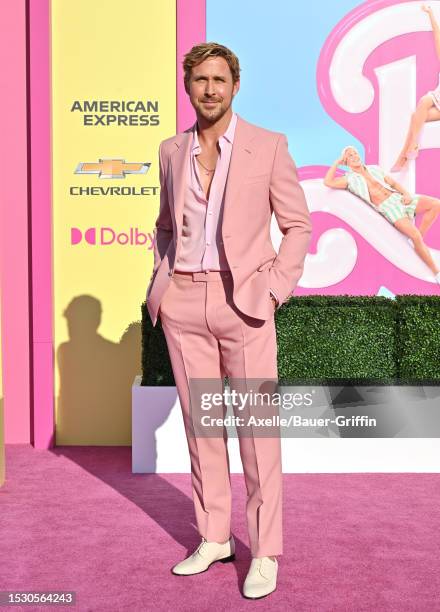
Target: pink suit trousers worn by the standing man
[[208, 337]]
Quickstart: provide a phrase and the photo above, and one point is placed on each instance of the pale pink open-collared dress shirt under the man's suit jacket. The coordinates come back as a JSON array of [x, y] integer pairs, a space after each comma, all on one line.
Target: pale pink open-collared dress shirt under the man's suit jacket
[[202, 245]]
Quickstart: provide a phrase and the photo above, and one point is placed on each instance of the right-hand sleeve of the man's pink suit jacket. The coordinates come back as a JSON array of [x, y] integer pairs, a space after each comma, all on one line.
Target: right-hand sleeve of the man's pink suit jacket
[[290, 208]]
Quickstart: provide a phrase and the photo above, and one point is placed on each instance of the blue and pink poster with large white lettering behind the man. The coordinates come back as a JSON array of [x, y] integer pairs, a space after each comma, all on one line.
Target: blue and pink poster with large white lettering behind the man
[[361, 108]]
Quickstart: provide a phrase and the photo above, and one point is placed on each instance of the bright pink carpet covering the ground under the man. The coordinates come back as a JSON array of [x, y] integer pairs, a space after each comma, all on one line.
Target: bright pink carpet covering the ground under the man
[[76, 518]]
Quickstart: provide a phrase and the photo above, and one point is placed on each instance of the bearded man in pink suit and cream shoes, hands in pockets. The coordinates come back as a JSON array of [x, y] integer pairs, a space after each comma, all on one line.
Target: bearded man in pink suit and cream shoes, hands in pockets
[[216, 283]]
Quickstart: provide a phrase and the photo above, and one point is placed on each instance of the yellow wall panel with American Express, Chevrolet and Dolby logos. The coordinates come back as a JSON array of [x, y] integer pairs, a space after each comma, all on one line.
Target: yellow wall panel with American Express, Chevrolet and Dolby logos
[[110, 110]]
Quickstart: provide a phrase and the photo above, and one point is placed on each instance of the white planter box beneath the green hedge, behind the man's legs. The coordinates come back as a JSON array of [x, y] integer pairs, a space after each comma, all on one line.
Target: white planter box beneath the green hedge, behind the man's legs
[[159, 444]]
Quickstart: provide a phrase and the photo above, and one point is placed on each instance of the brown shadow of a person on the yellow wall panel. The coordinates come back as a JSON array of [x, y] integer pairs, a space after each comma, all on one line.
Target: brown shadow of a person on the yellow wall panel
[[96, 376]]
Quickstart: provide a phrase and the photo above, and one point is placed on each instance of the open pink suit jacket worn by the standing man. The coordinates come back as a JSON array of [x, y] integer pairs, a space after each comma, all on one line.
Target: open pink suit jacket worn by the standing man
[[262, 179]]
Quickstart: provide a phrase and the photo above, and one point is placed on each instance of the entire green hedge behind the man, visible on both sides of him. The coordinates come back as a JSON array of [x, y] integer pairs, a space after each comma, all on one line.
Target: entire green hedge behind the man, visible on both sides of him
[[336, 340]]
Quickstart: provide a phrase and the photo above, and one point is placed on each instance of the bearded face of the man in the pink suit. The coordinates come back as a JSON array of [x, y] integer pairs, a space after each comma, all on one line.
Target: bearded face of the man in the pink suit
[[211, 89]]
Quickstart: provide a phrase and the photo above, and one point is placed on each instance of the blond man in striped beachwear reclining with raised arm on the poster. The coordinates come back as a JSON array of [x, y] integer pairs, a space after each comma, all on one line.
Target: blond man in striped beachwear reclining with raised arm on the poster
[[389, 198]]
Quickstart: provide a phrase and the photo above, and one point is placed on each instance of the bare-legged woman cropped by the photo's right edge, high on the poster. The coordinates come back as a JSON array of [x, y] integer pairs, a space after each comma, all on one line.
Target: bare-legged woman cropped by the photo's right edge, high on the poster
[[428, 108]]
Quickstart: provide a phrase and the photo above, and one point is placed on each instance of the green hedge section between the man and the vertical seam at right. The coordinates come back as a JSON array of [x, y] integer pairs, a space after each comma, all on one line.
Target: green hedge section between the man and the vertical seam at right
[[331, 339]]
